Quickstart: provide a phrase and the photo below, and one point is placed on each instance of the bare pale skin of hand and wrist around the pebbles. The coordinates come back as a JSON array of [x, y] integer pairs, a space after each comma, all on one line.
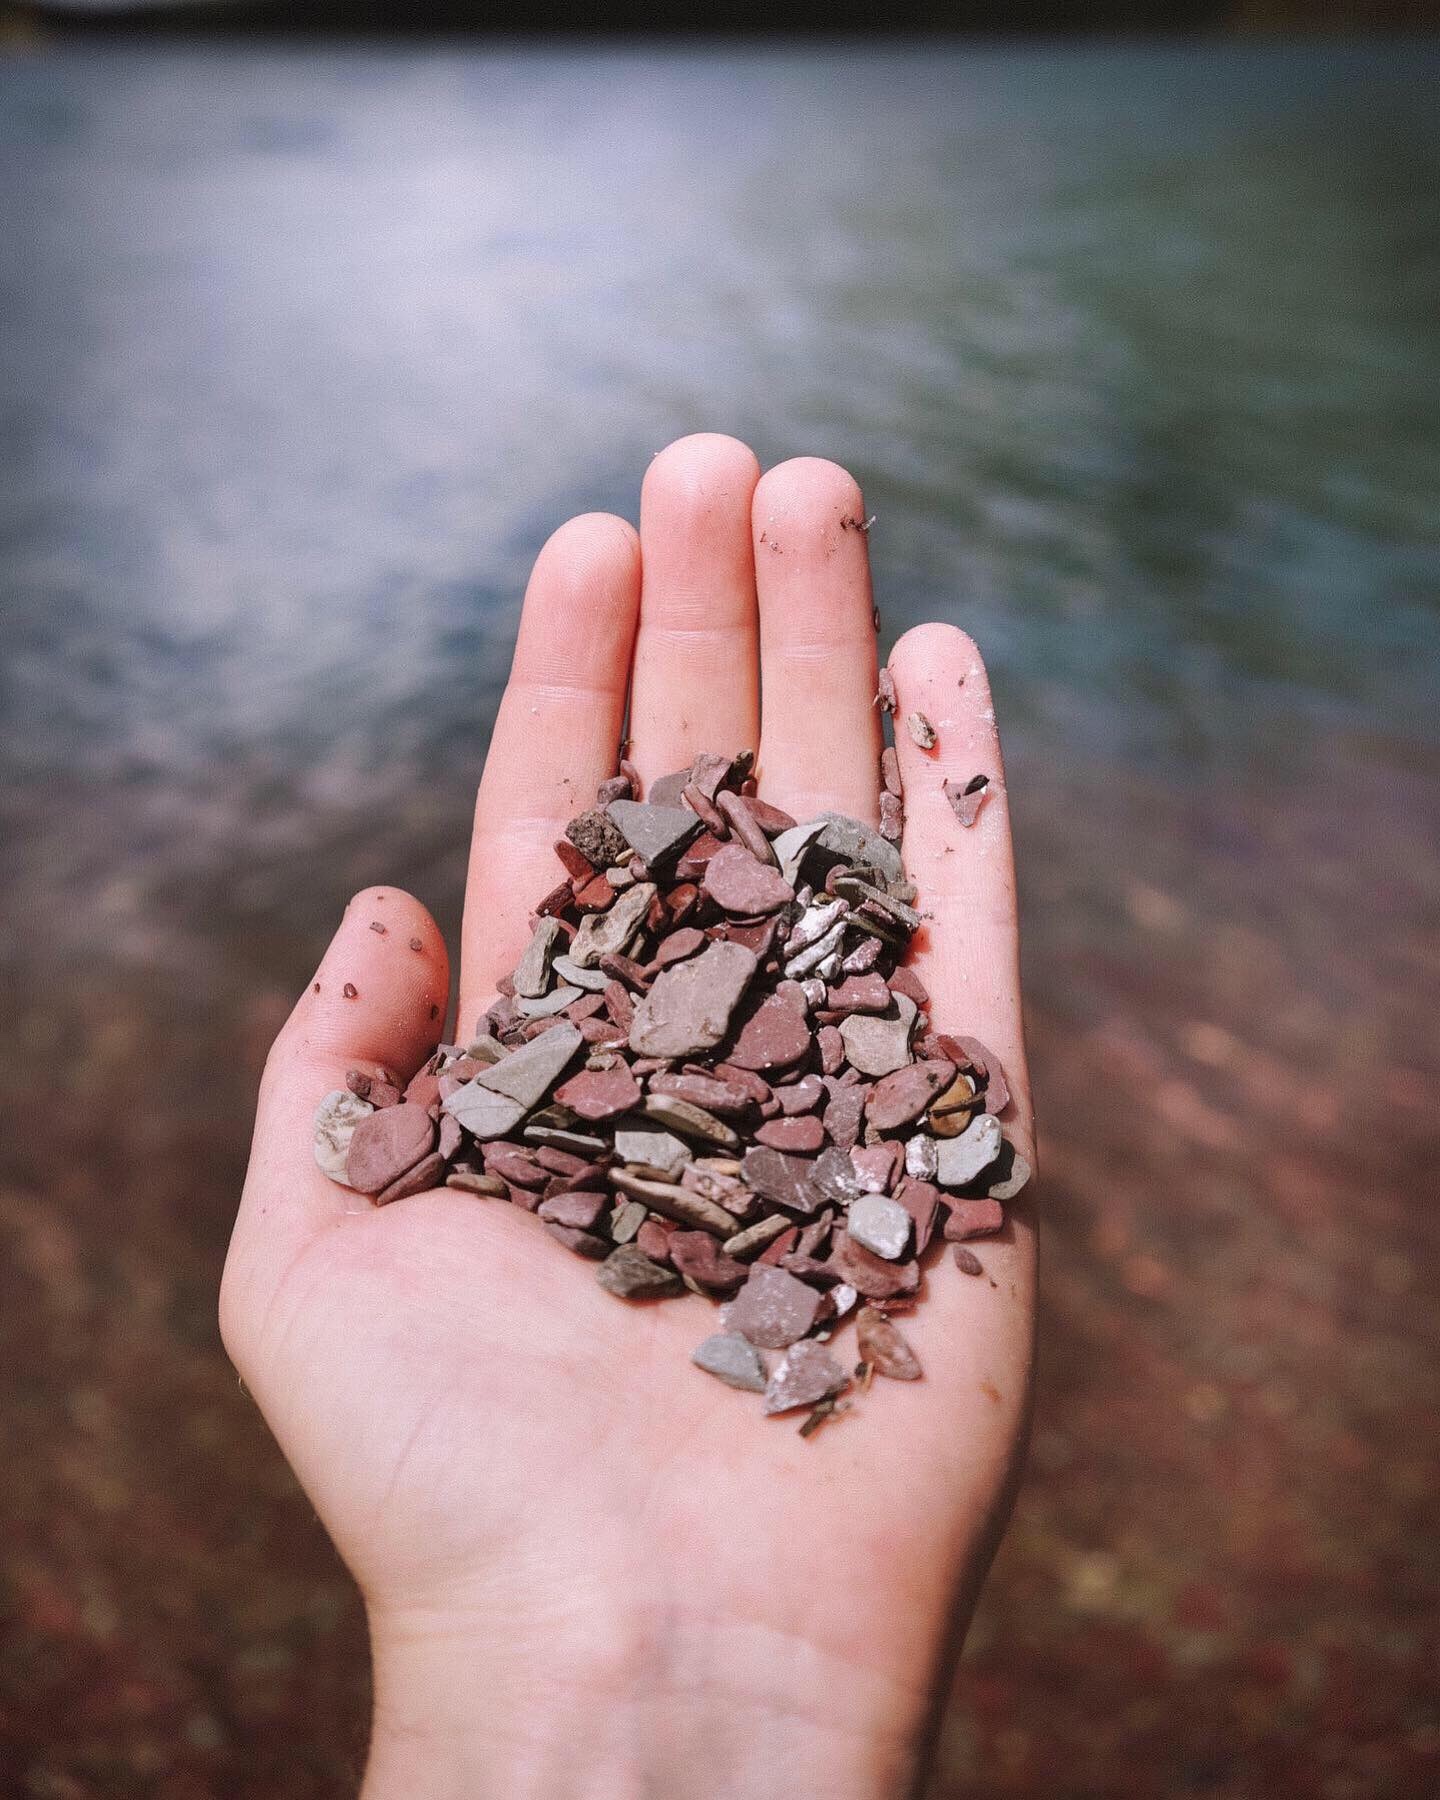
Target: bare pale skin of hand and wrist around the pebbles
[[591, 1570]]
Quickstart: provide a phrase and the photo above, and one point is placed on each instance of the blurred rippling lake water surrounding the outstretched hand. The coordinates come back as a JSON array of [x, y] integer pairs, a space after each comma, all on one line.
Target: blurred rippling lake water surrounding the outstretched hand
[[1137, 355]]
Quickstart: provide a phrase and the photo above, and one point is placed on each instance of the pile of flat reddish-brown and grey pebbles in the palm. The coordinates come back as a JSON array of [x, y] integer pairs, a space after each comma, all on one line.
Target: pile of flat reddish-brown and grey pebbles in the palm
[[712, 1072]]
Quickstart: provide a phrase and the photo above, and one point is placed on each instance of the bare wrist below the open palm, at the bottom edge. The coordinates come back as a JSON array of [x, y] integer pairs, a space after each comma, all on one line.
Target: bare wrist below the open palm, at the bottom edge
[[607, 1707]]
